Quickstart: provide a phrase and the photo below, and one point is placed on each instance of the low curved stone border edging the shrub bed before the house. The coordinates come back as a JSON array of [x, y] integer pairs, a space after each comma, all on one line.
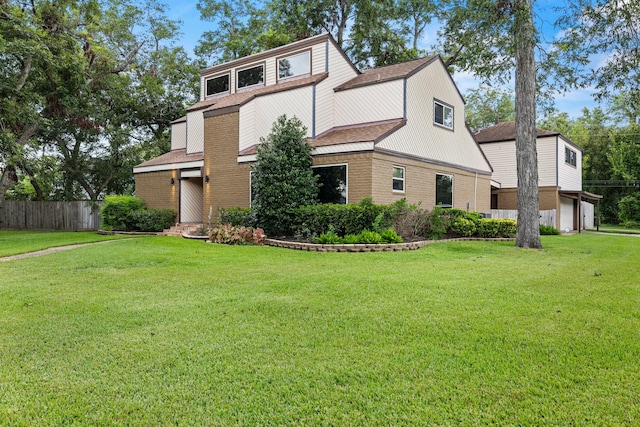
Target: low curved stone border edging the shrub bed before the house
[[388, 247]]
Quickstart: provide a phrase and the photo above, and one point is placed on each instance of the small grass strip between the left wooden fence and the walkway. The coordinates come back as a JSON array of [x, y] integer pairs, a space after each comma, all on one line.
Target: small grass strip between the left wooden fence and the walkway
[[19, 242]]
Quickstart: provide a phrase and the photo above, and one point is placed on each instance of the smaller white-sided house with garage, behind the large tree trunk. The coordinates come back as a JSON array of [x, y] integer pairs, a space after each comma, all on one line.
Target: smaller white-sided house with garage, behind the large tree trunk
[[559, 172]]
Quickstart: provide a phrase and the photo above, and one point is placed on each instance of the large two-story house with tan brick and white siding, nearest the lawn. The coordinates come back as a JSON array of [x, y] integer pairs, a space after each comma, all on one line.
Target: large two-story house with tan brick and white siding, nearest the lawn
[[392, 132]]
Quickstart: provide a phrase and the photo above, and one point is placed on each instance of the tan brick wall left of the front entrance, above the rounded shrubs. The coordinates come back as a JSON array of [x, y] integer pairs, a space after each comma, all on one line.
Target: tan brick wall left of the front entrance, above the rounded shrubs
[[156, 190]]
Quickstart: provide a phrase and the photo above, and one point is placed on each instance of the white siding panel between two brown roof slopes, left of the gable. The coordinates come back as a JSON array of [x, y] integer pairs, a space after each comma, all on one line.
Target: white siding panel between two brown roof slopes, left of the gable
[[369, 103]]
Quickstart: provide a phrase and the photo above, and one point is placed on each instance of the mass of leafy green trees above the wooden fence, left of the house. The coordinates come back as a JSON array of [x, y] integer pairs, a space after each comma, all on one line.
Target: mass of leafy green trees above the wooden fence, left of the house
[[86, 88]]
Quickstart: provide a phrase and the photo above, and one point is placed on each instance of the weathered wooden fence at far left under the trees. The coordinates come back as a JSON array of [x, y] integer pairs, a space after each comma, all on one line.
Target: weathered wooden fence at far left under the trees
[[68, 216]]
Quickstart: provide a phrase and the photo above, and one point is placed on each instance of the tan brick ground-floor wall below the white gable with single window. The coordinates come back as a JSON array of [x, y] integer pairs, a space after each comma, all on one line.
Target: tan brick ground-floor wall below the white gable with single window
[[420, 184]]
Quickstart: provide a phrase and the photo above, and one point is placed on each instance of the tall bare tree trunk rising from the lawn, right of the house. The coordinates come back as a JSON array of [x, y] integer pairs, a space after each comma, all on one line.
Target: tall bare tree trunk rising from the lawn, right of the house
[[528, 234]]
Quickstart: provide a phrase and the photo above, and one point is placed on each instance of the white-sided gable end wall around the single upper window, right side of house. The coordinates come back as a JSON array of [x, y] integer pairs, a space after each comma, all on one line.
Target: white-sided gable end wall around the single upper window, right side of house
[[421, 137]]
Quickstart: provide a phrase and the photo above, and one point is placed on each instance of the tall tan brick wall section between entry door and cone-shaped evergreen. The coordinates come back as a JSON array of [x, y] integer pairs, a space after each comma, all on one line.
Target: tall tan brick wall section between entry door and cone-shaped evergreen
[[228, 181]]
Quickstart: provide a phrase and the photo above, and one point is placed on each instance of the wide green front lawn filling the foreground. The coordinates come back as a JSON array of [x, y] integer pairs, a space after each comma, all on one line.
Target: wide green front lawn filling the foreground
[[161, 331]]
